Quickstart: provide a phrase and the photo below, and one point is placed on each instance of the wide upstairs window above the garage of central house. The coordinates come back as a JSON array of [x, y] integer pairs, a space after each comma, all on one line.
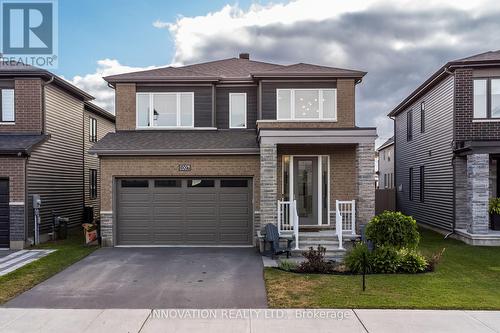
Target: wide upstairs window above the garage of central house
[[165, 110]]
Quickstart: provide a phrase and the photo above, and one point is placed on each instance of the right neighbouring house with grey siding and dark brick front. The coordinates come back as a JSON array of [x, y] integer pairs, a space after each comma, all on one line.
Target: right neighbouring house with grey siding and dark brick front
[[447, 139]]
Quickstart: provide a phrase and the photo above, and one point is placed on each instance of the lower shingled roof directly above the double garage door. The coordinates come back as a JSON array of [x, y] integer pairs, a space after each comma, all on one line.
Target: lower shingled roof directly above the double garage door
[[152, 142]]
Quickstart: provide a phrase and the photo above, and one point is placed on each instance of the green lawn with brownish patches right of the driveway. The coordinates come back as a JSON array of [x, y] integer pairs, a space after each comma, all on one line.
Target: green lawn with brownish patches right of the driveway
[[467, 278]]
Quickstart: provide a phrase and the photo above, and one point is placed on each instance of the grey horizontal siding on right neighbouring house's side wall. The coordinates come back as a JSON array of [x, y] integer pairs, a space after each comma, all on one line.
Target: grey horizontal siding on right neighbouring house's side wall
[[433, 150]]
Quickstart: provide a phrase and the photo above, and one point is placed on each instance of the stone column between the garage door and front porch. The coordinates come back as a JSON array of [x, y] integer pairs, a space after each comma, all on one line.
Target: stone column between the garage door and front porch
[[268, 184]]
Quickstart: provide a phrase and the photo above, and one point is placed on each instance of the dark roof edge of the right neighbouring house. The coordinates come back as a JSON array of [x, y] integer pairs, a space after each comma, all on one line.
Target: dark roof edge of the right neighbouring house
[[490, 58]]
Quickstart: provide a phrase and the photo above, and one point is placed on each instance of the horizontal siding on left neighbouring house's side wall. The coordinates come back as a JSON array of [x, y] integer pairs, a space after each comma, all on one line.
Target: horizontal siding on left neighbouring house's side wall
[[55, 168]]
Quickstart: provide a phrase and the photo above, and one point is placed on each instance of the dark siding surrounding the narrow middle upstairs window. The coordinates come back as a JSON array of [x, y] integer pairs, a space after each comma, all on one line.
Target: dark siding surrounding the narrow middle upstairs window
[[222, 105]]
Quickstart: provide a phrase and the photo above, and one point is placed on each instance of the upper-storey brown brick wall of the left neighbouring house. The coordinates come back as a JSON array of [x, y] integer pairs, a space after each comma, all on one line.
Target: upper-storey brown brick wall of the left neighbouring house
[[28, 107]]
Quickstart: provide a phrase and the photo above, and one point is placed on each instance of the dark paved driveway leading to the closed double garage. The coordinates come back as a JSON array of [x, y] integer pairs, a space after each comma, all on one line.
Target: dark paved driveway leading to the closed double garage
[[139, 278]]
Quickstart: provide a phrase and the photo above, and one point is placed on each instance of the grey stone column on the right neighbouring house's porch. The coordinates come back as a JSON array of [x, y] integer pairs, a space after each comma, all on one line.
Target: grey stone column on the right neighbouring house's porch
[[478, 174]]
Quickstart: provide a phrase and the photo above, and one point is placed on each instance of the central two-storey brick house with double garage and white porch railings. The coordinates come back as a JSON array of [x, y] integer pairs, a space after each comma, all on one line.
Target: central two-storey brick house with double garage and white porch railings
[[203, 153]]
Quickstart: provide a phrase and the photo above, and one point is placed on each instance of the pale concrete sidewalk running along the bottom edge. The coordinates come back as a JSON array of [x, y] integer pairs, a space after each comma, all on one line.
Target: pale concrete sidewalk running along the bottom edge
[[256, 320]]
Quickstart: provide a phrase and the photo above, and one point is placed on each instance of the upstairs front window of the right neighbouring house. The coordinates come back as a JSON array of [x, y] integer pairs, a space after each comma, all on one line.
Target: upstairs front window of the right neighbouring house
[[486, 98]]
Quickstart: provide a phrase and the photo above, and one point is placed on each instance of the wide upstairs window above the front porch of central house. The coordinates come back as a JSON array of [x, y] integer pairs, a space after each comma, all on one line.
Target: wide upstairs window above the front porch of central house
[[307, 104]]
